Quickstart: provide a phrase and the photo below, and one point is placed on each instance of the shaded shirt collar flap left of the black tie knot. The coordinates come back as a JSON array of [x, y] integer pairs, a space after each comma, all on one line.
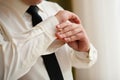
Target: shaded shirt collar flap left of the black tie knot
[[18, 5]]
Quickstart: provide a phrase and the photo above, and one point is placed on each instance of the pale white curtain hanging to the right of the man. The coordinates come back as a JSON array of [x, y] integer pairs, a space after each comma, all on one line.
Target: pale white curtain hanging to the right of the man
[[101, 19]]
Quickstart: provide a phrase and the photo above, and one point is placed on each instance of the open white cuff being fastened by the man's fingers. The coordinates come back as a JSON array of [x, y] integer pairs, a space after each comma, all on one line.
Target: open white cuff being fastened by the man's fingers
[[48, 26]]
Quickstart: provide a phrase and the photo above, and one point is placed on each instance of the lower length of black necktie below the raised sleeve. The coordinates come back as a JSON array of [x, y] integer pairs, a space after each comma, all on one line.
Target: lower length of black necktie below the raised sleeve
[[52, 67]]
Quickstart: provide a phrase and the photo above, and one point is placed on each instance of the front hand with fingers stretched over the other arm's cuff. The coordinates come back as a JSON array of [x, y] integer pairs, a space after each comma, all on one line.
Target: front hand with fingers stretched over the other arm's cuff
[[74, 35]]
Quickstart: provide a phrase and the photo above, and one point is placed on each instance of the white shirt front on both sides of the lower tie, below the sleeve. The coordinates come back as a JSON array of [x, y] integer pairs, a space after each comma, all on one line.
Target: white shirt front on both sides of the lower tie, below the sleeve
[[38, 71]]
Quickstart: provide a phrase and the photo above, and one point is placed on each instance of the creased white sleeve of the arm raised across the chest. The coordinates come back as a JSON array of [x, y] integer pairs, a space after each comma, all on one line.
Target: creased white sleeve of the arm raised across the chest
[[21, 51]]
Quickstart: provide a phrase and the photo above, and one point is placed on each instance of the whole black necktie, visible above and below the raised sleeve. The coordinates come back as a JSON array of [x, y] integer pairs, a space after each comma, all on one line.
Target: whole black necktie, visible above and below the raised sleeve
[[50, 61]]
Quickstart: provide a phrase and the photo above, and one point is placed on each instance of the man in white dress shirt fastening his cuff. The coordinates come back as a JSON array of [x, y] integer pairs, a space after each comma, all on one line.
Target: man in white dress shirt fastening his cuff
[[22, 45]]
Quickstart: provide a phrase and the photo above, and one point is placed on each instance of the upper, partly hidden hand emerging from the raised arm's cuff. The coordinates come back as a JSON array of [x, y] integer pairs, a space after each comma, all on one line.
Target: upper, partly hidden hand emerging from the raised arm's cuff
[[64, 16]]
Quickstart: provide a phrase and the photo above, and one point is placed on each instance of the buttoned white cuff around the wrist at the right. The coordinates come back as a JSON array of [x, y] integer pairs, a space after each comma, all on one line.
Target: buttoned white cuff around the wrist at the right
[[83, 59]]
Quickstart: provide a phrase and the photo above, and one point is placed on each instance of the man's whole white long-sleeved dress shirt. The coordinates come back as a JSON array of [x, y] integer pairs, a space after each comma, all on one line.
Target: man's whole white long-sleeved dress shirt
[[21, 45]]
